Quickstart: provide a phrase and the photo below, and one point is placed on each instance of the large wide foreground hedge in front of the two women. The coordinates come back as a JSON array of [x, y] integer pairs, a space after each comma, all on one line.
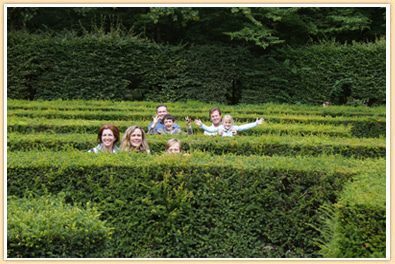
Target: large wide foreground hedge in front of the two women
[[197, 205]]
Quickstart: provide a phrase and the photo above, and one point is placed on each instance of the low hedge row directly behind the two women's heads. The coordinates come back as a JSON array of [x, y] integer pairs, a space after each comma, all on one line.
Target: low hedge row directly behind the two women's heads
[[27, 125]]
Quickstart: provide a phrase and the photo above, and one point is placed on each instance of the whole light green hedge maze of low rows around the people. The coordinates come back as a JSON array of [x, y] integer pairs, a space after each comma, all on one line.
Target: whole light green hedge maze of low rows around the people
[[308, 183]]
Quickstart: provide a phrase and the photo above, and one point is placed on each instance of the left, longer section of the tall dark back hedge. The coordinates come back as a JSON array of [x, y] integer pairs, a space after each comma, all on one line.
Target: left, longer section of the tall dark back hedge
[[108, 67]]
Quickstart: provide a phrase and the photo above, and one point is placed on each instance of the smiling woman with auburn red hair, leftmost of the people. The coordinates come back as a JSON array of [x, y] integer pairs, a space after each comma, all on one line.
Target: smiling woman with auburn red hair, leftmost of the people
[[107, 137]]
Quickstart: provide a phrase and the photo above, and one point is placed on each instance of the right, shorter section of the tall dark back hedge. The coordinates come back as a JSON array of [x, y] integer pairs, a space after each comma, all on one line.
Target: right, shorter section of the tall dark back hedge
[[341, 74]]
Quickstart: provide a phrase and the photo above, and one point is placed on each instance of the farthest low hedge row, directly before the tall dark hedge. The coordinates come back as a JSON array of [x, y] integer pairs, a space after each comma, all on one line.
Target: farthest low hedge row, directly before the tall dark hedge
[[195, 107]]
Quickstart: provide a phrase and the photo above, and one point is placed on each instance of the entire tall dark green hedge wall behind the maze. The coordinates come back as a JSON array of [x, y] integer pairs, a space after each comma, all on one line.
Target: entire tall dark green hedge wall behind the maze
[[128, 68]]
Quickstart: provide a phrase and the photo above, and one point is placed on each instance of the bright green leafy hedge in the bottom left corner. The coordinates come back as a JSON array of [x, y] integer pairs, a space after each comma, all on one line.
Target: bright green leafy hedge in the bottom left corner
[[46, 227]]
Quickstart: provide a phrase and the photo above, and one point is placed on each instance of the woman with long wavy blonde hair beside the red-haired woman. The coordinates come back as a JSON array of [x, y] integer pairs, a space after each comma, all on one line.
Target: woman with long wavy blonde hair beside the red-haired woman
[[134, 140]]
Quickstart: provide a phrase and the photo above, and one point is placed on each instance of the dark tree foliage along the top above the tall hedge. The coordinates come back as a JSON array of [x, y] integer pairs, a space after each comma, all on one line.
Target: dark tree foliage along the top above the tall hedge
[[248, 26]]
